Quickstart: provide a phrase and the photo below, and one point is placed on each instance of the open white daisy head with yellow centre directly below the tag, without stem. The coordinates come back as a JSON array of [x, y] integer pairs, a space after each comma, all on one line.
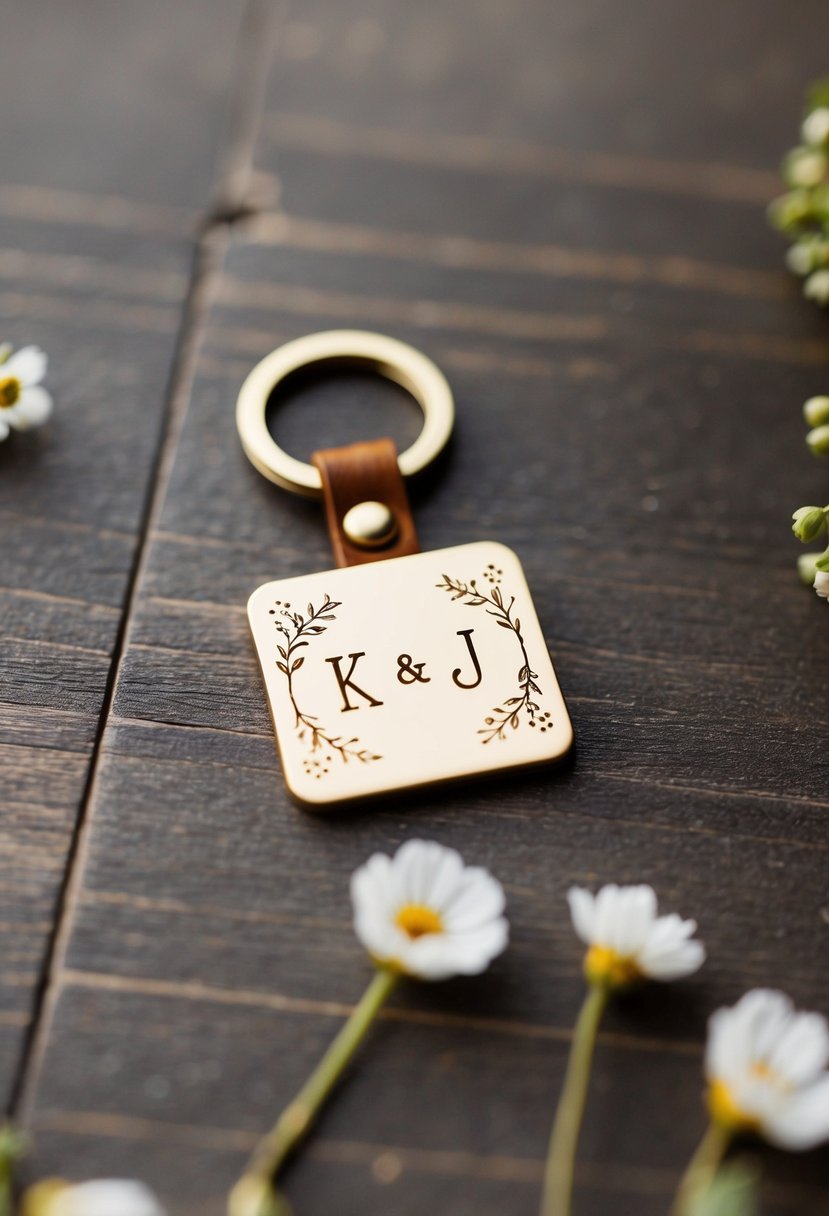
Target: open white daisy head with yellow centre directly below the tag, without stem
[[425, 914]]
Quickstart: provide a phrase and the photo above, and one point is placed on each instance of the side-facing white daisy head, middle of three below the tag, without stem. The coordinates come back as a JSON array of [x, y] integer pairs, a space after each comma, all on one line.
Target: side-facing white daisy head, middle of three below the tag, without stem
[[628, 941]]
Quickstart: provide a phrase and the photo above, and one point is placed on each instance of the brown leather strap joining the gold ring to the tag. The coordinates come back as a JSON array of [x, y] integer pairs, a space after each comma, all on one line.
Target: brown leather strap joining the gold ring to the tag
[[365, 474]]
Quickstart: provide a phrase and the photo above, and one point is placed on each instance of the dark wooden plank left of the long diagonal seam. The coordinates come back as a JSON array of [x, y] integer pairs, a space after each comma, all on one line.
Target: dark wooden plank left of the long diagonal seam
[[98, 226]]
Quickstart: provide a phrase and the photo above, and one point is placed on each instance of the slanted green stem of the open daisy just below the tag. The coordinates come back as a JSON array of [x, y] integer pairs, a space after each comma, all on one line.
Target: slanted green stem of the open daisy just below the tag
[[297, 1119]]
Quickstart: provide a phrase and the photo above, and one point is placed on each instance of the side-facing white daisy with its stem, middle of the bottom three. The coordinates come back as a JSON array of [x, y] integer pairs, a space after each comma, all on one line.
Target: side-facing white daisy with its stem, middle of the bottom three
[[628, 943]]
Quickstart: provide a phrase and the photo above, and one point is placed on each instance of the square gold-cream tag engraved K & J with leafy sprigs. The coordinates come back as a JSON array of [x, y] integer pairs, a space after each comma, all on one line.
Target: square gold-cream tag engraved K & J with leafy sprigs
[[405, 673]]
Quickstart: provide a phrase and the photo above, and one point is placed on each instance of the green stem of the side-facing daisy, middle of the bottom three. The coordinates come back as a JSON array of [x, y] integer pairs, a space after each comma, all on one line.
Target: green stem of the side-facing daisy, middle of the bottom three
[[561, 1159]]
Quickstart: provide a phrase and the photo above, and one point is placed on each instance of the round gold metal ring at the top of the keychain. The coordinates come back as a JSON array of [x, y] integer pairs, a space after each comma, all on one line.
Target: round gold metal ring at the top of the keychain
[[394, 361]]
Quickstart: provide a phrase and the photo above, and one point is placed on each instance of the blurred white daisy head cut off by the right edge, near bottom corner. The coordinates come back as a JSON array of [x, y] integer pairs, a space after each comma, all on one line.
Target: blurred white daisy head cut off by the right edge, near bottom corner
[[766, 1067]]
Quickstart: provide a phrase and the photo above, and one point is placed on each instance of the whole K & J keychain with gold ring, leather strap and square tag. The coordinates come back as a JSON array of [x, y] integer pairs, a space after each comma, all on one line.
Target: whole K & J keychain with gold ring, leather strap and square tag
[[398, 669]]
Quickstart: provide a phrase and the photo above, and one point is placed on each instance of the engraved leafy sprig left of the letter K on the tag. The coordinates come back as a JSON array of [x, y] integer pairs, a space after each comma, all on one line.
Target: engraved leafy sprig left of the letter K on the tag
[[322, 746]]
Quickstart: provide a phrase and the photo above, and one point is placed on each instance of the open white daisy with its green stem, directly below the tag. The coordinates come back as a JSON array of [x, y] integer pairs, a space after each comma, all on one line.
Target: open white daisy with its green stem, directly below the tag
[[422, 914]]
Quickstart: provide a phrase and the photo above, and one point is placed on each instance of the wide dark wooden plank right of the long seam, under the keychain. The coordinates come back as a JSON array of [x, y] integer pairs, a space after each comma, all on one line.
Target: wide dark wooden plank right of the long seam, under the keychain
[[567, 213]]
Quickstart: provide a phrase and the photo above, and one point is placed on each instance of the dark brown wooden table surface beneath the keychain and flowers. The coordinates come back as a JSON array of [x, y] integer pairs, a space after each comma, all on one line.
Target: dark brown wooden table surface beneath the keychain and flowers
[[563, 205]]
